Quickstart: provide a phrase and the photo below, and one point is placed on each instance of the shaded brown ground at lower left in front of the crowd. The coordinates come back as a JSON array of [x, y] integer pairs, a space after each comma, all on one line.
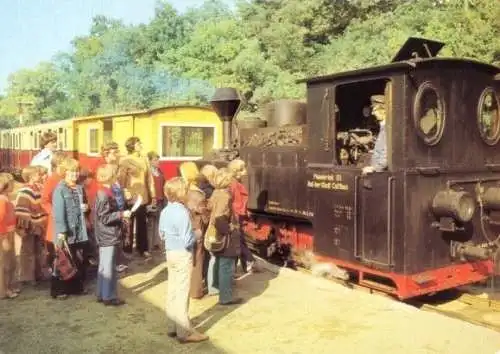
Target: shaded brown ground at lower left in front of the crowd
[[35, 323]]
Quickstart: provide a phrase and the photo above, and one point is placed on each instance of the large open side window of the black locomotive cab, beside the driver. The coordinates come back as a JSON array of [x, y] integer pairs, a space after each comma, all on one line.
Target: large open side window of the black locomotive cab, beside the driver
[[361, 109]]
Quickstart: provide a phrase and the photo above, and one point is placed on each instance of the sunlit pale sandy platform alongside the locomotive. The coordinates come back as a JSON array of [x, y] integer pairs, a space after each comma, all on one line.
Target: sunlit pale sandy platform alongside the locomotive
[[292, 312]]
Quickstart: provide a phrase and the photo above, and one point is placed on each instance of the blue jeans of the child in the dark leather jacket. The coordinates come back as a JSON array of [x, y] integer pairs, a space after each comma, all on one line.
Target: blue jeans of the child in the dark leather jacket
[[107, 278]]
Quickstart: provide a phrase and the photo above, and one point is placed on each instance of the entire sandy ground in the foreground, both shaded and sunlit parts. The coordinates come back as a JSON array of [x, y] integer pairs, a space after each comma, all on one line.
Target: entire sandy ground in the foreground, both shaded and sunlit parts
[[285, 313]]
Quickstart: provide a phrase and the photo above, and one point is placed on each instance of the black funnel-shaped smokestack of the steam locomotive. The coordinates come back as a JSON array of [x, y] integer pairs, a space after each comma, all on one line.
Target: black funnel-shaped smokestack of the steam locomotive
[[226, 102]]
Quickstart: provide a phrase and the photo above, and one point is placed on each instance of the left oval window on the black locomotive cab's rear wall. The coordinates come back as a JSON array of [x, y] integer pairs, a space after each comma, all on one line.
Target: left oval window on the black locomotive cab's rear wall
[[429, 114]]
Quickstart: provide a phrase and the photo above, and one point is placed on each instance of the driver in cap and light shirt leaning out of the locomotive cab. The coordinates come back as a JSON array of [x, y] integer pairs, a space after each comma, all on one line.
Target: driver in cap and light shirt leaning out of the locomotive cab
[[379, 157]]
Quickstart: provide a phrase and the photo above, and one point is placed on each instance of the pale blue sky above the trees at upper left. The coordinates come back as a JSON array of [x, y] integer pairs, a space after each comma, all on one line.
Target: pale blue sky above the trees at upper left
[[32, 31]]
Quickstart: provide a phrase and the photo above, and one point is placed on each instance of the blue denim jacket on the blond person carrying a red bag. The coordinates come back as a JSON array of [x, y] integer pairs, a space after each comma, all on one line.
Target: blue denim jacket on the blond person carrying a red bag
[[67, 214]]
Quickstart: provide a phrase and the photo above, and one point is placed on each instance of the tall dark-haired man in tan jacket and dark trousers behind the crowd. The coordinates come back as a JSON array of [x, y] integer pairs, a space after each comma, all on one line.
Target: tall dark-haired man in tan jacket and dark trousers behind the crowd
[[137, 181]]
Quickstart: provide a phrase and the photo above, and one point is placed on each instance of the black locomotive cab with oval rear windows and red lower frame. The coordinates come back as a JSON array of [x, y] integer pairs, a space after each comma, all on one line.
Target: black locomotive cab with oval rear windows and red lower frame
[[417, 225]]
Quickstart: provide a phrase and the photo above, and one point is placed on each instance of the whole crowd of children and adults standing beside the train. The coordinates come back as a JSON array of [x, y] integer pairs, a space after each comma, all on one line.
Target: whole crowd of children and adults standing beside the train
[[67, 217]]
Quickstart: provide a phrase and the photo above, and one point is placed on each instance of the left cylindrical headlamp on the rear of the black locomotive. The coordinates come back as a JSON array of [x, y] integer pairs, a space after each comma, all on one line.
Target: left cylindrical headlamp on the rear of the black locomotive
[[458, 205]]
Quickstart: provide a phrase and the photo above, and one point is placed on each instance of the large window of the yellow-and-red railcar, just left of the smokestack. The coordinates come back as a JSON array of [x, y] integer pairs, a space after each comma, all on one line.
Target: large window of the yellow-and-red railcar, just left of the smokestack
[[186, 141]]
